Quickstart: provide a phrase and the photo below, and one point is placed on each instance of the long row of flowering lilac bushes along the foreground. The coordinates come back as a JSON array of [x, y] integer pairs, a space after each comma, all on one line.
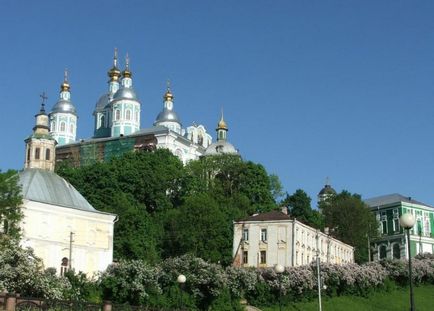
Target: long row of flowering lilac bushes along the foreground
[[208, 286]]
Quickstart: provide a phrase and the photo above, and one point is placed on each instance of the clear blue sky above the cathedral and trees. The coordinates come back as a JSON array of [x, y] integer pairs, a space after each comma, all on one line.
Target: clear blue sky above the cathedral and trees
[[310, 89]]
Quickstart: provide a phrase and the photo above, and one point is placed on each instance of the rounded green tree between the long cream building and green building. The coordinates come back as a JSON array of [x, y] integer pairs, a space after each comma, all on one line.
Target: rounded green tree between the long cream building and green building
[[350, 221]]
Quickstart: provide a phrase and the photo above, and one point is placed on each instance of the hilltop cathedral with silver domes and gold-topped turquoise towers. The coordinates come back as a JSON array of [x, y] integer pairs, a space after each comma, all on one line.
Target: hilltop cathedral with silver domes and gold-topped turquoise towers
[[117, 125]]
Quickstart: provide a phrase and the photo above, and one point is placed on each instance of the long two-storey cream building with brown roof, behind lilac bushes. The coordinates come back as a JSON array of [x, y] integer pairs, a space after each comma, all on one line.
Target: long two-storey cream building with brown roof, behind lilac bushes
[[264, 240]]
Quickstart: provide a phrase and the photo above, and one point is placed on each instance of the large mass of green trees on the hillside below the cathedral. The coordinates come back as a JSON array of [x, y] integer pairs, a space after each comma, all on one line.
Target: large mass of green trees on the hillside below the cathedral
[[166, 209]]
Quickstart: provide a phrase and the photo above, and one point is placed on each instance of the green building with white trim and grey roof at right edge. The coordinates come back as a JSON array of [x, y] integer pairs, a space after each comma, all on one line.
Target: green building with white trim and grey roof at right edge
[[392, 242]]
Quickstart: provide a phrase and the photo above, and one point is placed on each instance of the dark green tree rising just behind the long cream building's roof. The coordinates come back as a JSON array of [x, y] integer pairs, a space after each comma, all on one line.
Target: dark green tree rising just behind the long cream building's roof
[[299, 207]]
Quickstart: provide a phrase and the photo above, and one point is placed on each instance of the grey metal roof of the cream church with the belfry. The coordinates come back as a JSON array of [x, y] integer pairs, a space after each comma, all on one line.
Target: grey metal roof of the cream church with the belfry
[[47, 187]]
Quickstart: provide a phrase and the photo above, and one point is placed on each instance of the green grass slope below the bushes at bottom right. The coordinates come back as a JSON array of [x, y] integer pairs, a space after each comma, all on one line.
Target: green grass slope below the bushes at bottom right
[[395, 300]]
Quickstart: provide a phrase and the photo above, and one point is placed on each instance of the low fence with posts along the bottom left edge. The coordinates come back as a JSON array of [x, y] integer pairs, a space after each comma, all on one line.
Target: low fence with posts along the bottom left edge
[[12, 302]]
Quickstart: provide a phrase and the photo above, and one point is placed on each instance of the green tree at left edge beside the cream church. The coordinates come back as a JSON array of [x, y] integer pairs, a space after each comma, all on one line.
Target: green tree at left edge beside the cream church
[[10, 206]]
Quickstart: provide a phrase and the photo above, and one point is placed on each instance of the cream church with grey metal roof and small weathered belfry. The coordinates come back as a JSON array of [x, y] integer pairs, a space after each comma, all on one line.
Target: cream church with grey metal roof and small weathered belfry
[[64, 230]]
